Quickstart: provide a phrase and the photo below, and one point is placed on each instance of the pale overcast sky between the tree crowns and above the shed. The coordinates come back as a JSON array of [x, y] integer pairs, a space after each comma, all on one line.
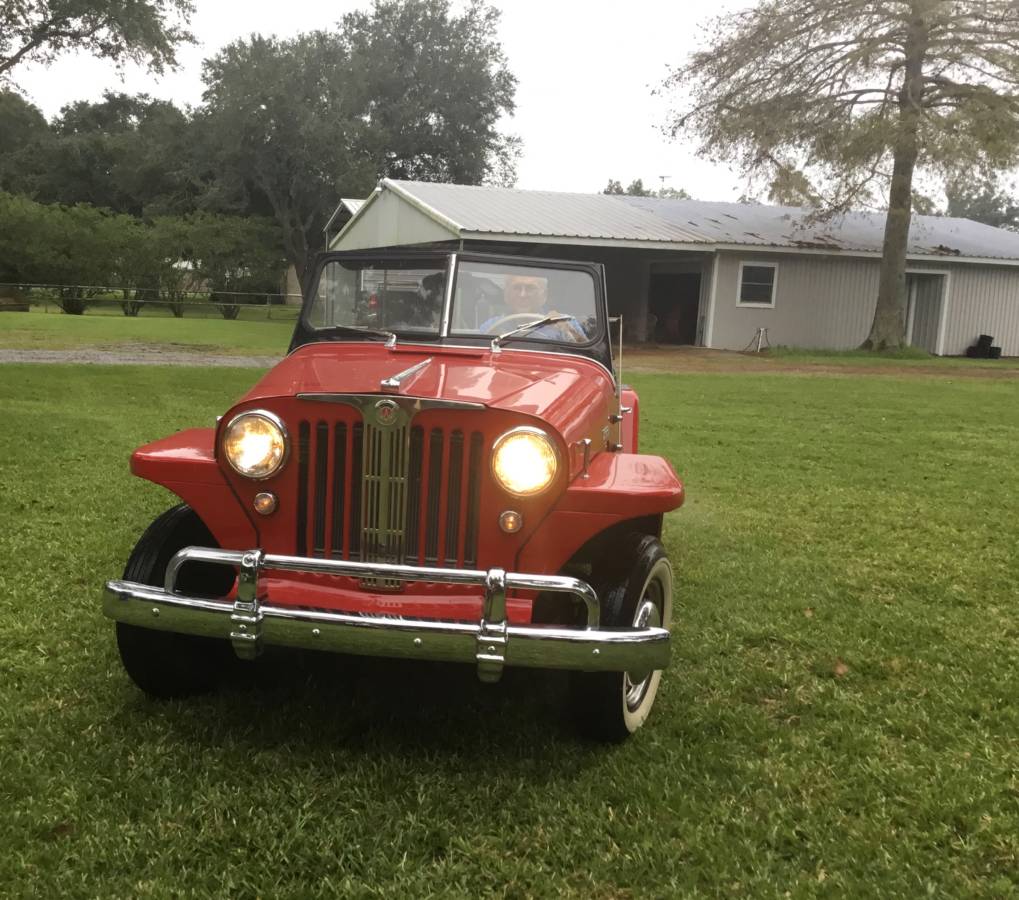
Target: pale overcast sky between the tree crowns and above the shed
[[586, 72]]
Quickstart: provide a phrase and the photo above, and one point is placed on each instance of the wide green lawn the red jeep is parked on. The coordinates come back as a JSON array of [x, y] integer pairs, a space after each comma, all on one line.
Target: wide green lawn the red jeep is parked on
[[840, 719]]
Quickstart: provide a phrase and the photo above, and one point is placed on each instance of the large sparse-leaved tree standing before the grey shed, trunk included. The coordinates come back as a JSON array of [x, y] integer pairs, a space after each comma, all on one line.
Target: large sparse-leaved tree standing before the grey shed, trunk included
[[859, 98]]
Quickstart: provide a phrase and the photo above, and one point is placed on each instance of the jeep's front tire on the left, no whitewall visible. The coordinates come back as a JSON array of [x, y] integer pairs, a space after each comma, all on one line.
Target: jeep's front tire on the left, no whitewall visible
[[164, 664]]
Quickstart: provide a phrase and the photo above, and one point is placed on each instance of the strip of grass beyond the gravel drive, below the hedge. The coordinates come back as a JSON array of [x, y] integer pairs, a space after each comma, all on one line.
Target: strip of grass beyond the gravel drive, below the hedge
[[55, 331]]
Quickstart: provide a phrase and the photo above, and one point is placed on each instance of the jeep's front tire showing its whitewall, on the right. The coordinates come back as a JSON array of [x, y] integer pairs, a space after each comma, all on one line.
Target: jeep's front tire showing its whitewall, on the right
[[638, 583]]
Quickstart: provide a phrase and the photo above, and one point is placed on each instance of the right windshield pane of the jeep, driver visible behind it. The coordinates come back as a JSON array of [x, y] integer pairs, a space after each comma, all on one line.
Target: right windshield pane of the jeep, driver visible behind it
[[494, 299]]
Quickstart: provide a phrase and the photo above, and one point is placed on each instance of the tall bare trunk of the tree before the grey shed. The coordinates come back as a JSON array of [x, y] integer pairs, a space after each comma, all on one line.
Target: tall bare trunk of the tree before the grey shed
[[888, 332]]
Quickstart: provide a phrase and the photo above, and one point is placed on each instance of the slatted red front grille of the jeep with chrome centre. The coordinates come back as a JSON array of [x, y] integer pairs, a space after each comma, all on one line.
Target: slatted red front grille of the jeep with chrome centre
[[404, 494]]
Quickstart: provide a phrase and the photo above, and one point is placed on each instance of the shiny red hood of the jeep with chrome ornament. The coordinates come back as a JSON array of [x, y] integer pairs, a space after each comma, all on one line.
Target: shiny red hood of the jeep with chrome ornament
[[557, 389]]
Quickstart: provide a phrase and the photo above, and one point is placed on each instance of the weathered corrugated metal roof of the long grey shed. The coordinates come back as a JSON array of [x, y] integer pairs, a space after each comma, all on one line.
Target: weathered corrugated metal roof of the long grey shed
[[614, 218]]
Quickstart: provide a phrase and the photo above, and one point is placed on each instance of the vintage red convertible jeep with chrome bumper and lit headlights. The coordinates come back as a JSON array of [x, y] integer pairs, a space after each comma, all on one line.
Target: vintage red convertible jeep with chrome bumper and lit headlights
[[445, 467]]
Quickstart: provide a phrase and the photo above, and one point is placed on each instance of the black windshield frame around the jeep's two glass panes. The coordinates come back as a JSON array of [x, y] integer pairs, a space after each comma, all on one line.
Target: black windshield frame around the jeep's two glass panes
[[598, 348]]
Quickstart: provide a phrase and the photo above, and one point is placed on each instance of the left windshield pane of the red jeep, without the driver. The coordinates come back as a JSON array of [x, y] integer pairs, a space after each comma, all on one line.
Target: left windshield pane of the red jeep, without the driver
[[391, 295]]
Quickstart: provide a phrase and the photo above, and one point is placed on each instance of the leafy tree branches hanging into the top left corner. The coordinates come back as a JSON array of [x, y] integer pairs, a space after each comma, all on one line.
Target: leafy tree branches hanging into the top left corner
[[147, 32]]
